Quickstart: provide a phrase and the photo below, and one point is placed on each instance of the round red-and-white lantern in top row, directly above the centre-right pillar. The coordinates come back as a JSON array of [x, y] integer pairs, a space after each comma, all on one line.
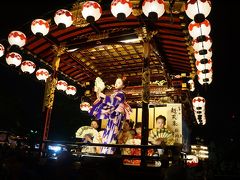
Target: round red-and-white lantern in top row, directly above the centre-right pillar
[[153, 9]]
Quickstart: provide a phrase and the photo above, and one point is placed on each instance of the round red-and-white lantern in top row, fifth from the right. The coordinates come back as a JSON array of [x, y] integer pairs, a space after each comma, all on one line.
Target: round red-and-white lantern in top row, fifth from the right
[[63, 18]]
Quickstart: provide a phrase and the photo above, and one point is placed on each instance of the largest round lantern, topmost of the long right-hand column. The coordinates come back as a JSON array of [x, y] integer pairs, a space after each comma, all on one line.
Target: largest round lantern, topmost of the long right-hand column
[[198, 10]]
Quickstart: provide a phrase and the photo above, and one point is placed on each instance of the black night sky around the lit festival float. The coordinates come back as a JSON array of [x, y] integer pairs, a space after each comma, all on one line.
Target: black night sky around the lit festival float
[[21, 96]]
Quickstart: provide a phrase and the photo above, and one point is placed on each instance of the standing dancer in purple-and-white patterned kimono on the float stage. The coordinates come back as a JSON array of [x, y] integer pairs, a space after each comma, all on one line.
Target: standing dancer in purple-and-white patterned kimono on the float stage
[[115, 109]]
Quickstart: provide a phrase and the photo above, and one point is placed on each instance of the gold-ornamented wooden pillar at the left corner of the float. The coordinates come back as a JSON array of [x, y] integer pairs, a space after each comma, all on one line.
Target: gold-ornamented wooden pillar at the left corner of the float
[[50, 87]]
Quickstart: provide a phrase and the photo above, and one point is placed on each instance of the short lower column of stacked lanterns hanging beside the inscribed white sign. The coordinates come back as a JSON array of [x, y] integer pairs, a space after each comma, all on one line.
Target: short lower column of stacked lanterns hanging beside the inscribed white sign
[[199, 109]]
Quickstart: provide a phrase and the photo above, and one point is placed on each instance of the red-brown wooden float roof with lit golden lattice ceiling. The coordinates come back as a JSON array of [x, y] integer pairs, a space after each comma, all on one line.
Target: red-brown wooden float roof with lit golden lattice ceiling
[[99, 50]]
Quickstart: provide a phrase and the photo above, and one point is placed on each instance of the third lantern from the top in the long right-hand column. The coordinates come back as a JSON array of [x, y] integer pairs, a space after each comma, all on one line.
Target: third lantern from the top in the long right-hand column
[[205, 43]]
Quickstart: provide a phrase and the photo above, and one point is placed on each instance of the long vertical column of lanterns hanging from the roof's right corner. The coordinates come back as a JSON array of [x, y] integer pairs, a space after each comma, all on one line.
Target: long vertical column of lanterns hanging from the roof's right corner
[[199, 29]]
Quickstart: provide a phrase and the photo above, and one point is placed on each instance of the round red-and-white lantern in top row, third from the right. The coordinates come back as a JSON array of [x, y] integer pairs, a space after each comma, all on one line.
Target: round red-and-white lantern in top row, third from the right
[[121, 9]]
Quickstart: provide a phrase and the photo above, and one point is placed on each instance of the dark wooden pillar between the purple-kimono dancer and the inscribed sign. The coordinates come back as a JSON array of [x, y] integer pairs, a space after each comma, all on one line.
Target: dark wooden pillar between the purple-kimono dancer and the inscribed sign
[[145, 99]]
